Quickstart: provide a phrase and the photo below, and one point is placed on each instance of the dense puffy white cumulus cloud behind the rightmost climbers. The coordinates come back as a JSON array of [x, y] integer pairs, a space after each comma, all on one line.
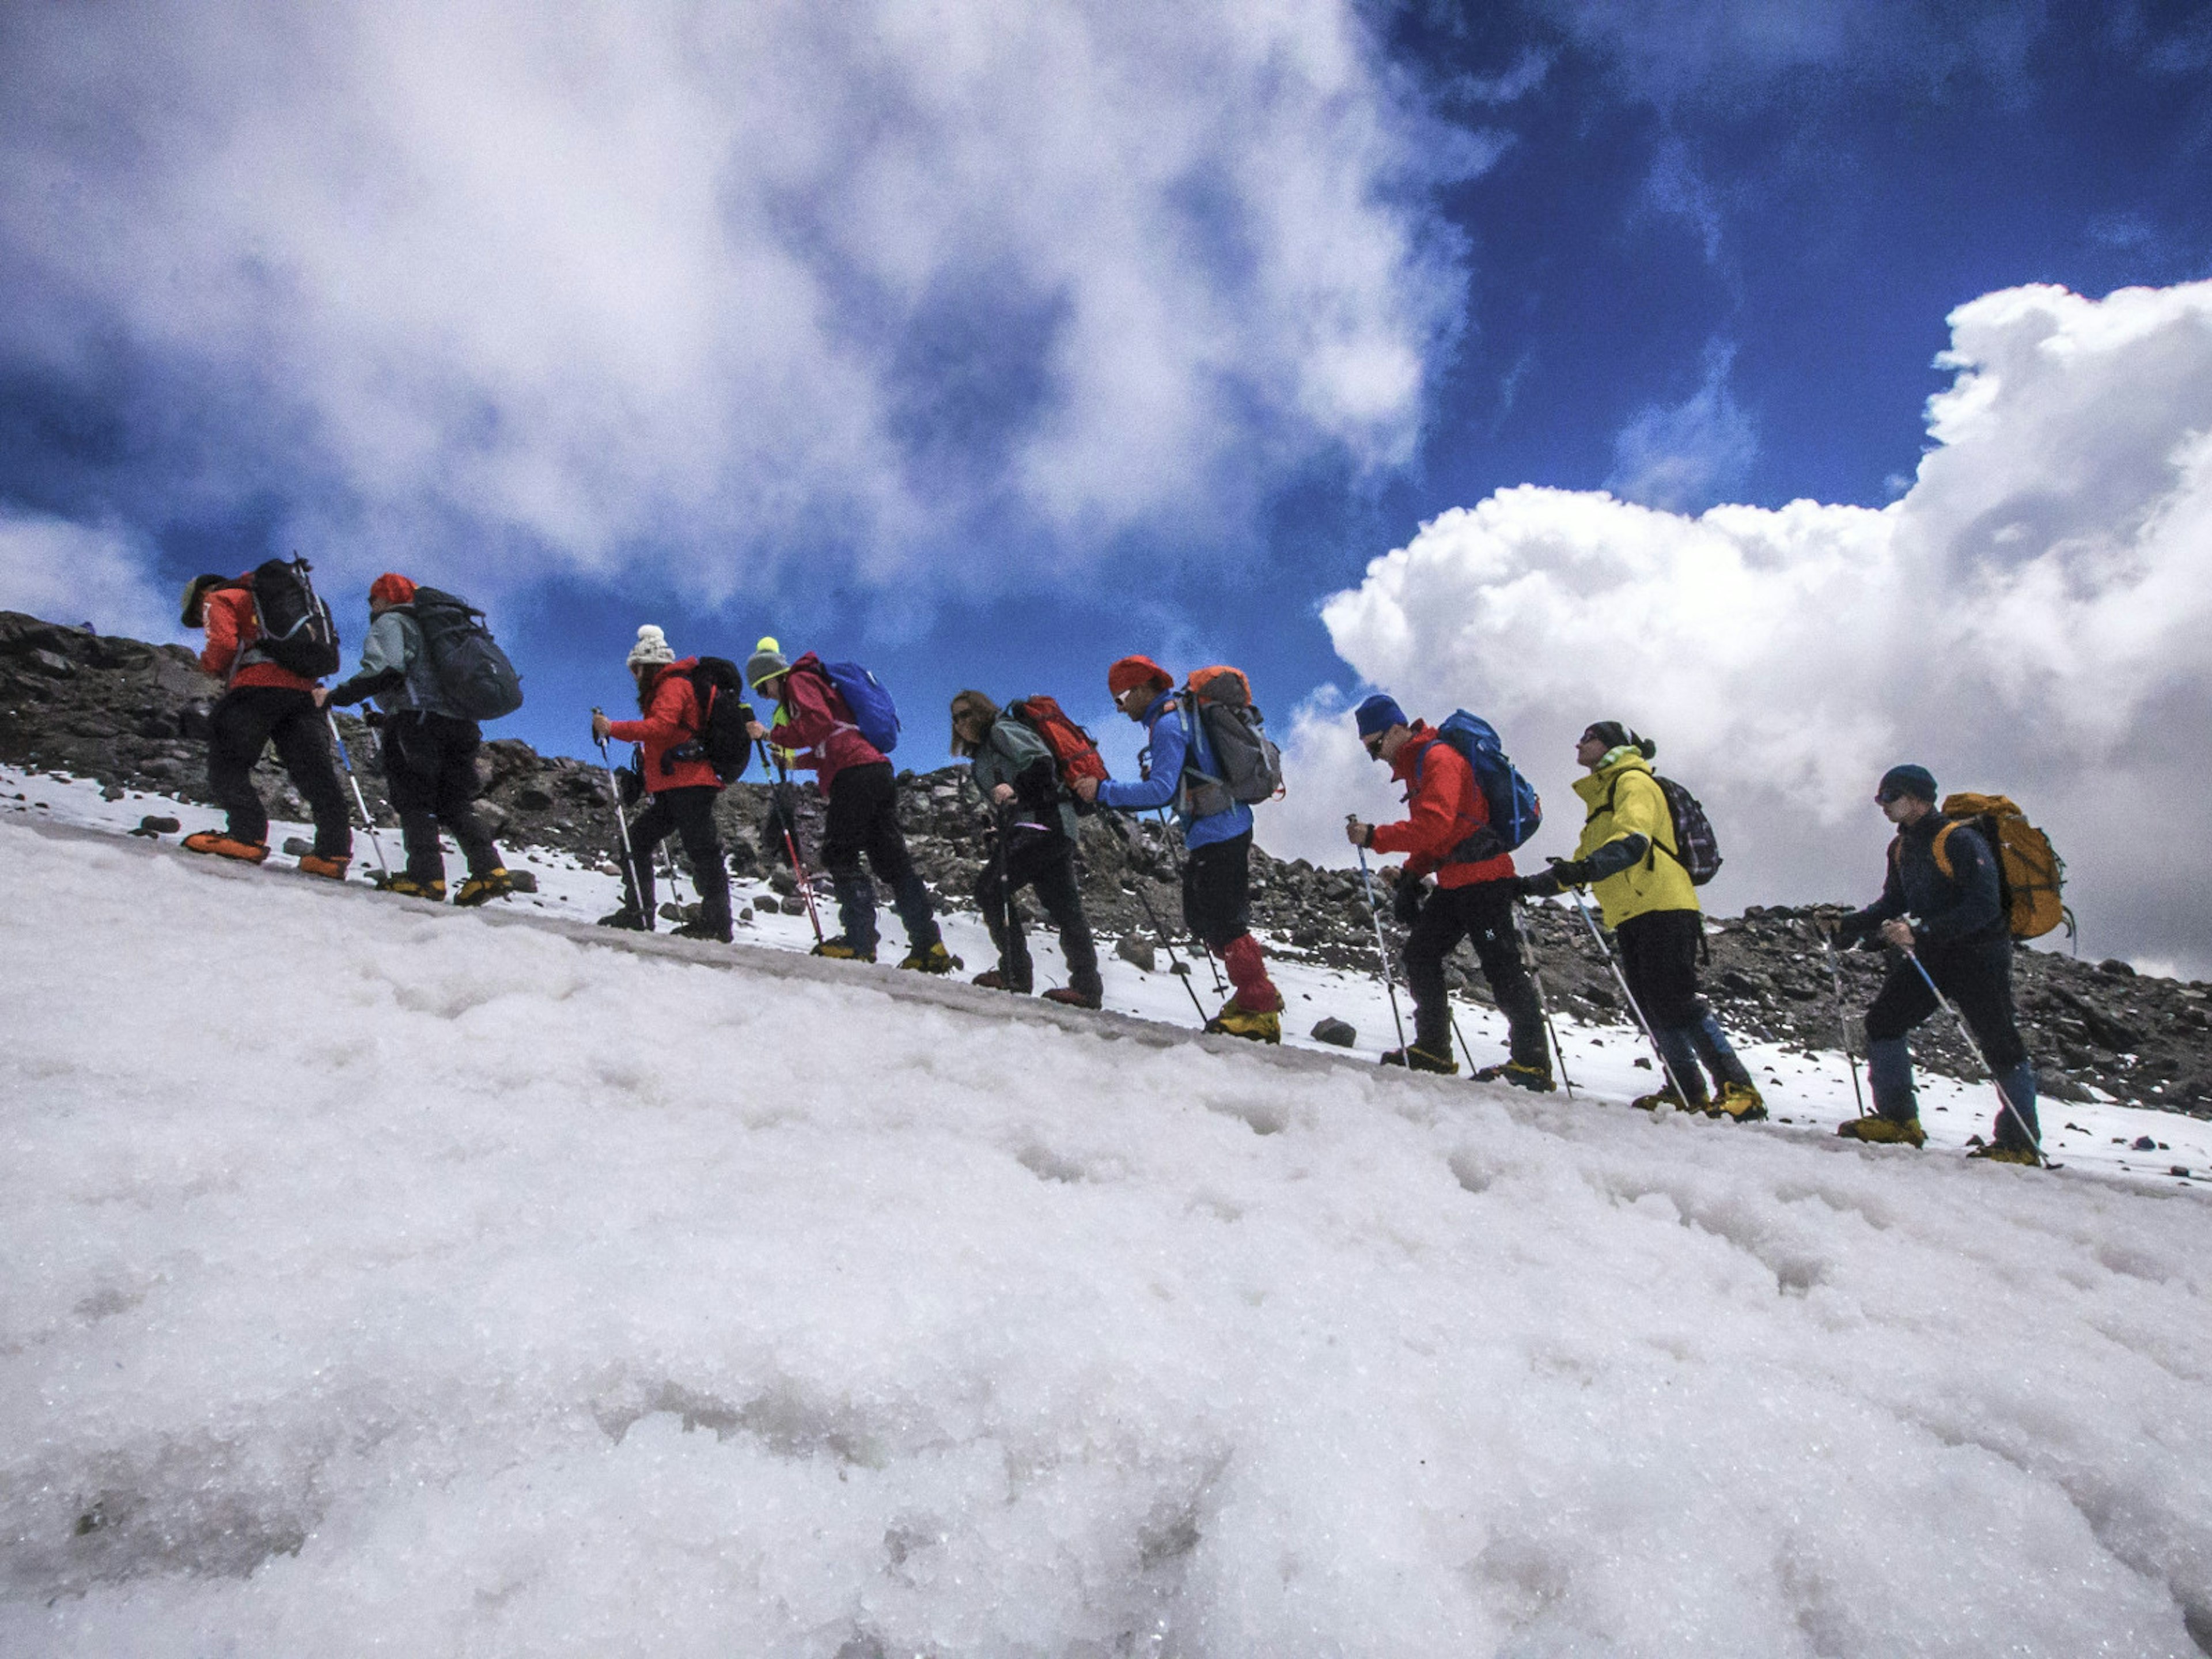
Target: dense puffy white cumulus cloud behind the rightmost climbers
[[2030, 618]]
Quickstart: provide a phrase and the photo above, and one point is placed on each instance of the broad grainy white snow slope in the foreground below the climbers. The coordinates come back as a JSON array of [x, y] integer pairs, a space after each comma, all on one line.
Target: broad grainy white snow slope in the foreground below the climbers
[[384, 1282]]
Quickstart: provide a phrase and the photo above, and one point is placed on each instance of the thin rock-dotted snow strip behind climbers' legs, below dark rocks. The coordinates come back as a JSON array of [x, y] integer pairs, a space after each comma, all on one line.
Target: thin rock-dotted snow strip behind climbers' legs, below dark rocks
[[1804, 1087]]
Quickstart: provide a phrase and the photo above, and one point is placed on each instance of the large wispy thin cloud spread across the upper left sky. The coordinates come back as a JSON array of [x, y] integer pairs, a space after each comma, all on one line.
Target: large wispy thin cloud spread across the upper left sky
[[727, 280]]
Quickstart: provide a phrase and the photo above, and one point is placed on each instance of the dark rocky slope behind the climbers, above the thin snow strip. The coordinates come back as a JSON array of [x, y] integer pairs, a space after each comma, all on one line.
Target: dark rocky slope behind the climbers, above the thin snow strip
[[112, 711]]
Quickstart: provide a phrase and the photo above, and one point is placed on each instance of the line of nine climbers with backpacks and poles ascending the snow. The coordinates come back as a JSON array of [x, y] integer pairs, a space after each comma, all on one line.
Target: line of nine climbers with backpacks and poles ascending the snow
[[1645, 844]]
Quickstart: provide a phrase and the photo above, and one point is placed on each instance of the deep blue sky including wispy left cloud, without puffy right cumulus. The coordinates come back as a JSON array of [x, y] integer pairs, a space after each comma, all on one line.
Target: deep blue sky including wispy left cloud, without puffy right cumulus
[[988, 346]]
